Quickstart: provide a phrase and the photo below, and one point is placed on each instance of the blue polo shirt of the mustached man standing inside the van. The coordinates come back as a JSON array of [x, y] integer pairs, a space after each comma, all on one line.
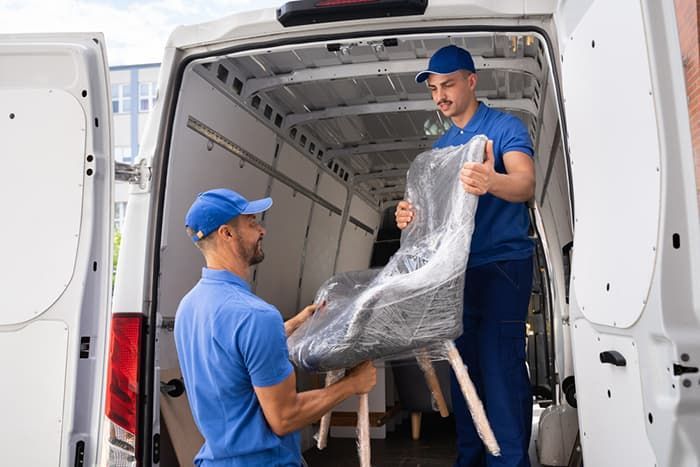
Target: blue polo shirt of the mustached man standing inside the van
[[501, 227]]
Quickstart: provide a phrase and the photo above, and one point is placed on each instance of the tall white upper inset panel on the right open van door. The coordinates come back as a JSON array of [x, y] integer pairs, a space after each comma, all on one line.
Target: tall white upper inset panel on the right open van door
[[616, 223]]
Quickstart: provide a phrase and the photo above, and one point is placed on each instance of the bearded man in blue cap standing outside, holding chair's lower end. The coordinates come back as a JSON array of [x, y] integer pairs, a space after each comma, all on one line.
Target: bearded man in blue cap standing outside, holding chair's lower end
[[232, 347]]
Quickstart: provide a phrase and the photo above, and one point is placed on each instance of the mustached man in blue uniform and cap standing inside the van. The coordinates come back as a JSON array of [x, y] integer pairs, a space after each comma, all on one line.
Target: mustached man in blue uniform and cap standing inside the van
[[499, 271]]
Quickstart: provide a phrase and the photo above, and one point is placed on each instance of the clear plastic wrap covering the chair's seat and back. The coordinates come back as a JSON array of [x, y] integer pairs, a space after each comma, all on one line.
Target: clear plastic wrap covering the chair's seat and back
[[415, 301]]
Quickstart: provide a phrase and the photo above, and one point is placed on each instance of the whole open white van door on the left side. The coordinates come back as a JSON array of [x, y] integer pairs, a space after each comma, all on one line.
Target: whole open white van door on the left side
[[55, 246]]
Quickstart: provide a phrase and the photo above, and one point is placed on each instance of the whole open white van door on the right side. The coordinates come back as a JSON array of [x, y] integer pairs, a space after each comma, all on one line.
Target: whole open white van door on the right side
[[635, 308]]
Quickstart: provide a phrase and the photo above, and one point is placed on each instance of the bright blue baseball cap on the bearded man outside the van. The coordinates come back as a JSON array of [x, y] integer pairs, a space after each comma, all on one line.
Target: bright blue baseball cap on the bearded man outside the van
[[216, 207]]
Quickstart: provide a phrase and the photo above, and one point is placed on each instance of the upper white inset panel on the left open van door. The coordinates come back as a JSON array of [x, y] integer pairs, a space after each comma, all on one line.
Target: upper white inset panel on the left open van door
[[61, 114]]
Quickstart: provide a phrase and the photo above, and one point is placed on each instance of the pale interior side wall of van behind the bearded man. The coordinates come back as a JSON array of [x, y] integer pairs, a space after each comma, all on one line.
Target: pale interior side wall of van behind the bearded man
[[303, 245]]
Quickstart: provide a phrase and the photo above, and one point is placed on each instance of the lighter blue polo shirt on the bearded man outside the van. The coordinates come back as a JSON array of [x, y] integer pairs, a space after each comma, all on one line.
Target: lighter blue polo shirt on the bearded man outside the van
[[229, 340]]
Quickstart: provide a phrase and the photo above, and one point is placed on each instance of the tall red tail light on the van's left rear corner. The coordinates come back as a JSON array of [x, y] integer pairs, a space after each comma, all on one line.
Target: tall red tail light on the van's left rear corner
[[122, 404]]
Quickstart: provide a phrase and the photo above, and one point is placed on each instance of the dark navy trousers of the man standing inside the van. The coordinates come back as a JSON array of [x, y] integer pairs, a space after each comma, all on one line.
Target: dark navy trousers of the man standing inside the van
[[496, 298]]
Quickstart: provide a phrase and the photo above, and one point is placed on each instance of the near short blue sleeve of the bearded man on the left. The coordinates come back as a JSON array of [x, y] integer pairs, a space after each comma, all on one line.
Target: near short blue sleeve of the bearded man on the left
[[262, 344]]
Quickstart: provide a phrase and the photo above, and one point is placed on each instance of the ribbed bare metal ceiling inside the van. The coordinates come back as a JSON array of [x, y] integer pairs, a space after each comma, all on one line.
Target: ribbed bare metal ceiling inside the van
[[354, 107]]
